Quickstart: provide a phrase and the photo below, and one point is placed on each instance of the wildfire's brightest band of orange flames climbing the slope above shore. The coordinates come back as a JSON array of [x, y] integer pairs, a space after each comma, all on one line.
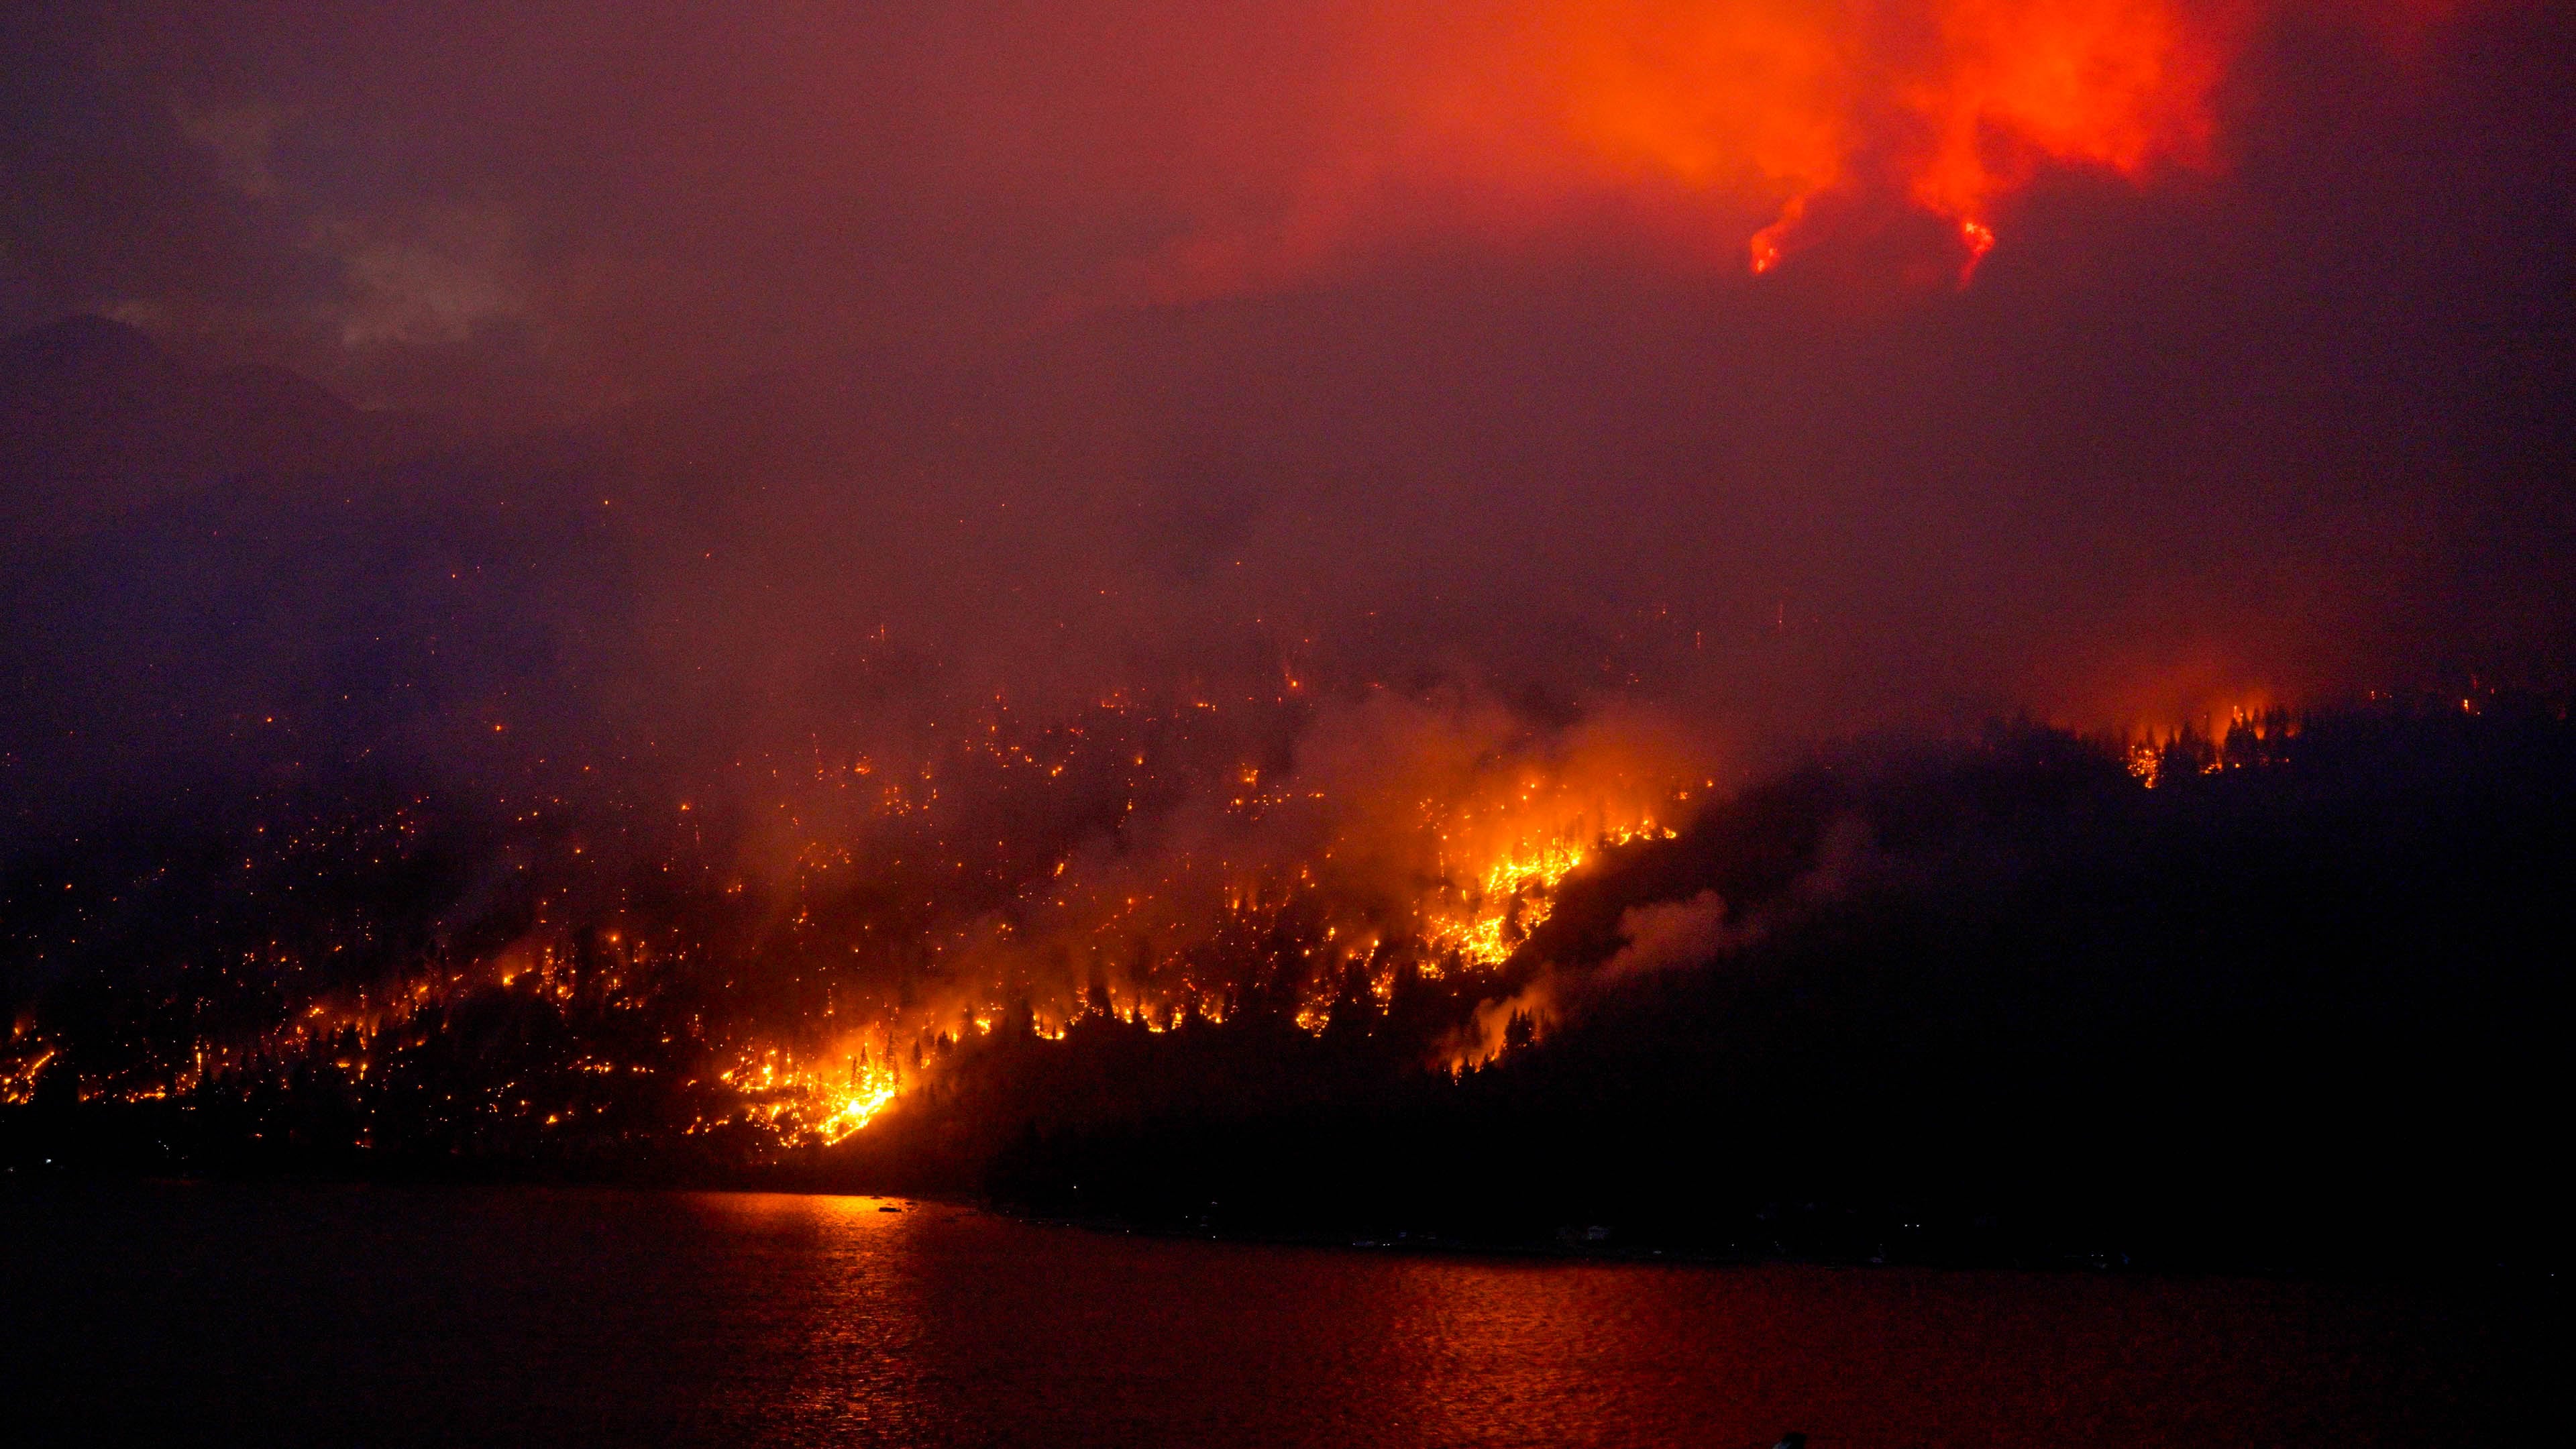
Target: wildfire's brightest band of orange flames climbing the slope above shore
[[1160, 870]]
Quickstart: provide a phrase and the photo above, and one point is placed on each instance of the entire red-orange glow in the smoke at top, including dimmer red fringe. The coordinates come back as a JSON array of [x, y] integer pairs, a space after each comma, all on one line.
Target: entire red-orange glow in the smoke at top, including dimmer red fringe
[[1738, 117]]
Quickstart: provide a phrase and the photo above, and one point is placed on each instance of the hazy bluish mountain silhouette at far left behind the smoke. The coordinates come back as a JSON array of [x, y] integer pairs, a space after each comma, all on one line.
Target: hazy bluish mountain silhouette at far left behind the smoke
[[238, 576]]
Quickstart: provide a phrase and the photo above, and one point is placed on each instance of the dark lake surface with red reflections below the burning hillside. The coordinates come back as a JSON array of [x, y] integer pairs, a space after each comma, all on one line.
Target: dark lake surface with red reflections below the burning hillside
[[524, 1316]]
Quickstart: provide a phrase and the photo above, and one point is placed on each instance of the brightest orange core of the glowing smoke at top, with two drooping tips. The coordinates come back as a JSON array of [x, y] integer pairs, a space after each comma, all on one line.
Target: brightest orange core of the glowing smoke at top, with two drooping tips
[[1946, 107]]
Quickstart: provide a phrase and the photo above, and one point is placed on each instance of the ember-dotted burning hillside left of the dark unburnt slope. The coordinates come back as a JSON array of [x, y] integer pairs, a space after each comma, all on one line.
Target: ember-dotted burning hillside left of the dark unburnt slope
[[545, 989]]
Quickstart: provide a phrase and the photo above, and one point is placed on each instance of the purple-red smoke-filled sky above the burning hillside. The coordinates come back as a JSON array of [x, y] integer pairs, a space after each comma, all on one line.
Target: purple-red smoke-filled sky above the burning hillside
[[1799, 367]]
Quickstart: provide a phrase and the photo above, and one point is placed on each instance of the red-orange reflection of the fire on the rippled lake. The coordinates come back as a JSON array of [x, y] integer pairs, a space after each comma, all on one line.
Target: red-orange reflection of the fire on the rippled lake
[[949, 1327]]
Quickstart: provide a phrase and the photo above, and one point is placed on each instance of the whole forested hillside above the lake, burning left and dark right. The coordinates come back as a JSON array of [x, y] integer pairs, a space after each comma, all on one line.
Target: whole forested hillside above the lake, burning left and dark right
[[1356, 935]]
